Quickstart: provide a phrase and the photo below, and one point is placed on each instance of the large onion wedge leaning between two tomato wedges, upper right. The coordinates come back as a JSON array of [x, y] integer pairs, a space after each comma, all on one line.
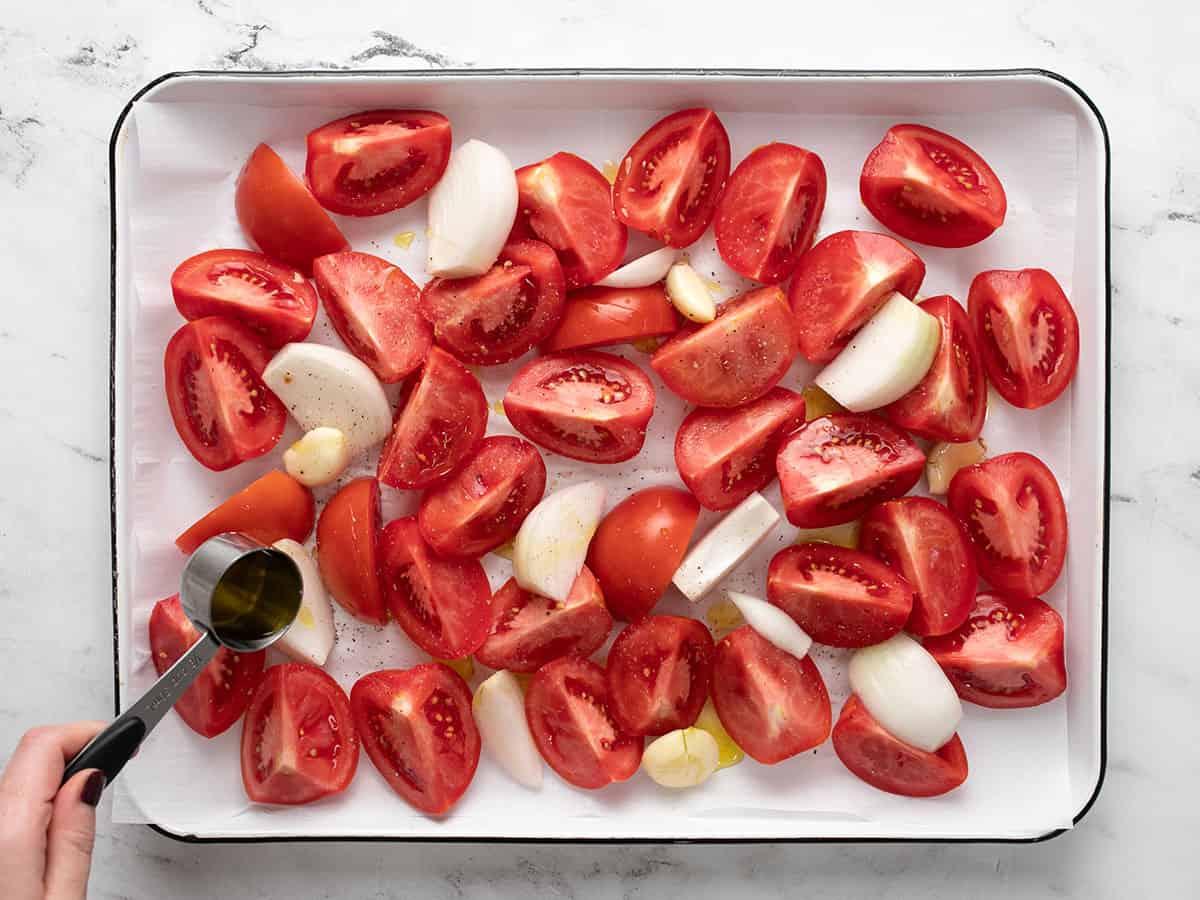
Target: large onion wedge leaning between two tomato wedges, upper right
[[886, 359]]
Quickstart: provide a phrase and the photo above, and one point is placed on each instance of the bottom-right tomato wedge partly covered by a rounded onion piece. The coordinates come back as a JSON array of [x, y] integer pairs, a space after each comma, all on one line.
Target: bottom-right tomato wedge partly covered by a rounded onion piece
[[889, 764]]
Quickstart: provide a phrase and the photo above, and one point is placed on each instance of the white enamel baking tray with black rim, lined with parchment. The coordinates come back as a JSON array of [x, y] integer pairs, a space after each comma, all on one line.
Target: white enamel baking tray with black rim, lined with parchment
[[176, 151]]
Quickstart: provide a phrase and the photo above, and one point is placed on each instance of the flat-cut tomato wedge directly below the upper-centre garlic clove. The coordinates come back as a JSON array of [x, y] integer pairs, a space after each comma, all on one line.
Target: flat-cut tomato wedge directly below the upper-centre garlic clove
[[735, 359]]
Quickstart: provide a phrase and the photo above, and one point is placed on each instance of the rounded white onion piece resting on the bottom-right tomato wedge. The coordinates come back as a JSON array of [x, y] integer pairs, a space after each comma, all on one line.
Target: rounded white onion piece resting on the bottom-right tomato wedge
[[904, 688]]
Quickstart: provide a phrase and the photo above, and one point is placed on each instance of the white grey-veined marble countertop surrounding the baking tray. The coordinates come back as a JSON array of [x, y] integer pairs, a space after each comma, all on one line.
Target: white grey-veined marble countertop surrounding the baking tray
[[68, 69]]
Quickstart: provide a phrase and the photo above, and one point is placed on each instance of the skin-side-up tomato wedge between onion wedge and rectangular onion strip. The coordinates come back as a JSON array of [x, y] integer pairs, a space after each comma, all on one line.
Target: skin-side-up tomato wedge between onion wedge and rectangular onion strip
[[639, 547]]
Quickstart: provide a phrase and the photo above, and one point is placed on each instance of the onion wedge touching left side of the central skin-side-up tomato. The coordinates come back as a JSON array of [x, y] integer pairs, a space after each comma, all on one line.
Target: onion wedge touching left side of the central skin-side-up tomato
[[553, 544]]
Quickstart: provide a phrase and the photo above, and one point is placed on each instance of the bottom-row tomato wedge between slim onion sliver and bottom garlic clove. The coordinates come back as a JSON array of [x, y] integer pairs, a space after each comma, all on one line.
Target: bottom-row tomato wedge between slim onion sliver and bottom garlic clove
[[568, 710]]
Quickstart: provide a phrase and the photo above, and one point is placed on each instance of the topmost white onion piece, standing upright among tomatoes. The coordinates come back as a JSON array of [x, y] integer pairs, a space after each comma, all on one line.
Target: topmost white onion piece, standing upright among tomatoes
[[471, 212]]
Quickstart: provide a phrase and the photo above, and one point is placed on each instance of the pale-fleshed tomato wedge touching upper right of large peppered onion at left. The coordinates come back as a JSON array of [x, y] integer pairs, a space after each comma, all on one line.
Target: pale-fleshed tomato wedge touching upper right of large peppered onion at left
[[374, 308]]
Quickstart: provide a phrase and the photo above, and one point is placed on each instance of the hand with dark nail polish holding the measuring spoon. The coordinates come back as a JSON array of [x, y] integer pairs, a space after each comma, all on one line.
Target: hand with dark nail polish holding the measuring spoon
[[46, 833]]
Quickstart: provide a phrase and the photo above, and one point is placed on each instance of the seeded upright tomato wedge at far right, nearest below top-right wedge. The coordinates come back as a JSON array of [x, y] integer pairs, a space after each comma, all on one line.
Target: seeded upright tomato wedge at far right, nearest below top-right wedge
[[1028, 334]]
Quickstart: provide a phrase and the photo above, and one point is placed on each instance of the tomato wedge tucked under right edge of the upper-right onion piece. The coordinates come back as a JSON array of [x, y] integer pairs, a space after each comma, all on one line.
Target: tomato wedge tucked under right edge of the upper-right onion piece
[[951, 403]]
